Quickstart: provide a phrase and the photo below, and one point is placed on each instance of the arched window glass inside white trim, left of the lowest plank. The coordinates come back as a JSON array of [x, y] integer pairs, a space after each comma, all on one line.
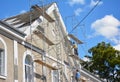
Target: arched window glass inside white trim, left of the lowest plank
[[29, 69]]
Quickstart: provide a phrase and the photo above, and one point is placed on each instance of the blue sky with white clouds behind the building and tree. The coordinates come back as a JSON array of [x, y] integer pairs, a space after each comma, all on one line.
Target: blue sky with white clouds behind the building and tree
[[102, 24]]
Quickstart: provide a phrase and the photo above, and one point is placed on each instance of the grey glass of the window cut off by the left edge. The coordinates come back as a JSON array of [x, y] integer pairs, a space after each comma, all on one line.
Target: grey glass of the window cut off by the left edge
[[2, 62]]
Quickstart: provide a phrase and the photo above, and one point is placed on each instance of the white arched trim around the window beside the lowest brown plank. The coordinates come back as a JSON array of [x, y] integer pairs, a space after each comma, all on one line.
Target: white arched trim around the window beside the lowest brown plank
[[27, 52]]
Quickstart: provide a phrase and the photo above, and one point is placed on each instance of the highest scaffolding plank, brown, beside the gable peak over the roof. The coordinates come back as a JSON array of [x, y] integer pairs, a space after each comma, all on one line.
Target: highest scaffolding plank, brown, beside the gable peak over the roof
[[43, 13]]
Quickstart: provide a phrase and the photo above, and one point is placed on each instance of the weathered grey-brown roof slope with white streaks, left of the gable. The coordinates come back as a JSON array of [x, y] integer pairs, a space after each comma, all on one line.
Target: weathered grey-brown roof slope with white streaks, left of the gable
[[22, 19]]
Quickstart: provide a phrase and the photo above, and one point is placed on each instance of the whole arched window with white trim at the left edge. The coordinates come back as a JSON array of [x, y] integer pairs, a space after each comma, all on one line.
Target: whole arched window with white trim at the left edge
[[3, 57]]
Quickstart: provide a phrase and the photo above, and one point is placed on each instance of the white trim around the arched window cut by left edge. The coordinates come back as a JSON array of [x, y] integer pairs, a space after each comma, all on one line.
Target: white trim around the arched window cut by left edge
[[4, 77]]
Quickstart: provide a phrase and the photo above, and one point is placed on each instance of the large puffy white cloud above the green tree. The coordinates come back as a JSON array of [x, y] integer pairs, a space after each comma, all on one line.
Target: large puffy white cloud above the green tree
[[108, 27]]
